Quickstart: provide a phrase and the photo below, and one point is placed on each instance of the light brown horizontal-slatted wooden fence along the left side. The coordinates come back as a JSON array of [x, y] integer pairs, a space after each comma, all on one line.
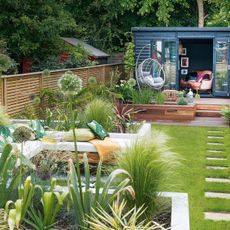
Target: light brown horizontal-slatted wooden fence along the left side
[[16, 90]]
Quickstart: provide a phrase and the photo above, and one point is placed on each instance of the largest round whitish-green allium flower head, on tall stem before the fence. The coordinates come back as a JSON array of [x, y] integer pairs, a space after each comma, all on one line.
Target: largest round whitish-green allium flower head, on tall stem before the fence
[[70, 84]]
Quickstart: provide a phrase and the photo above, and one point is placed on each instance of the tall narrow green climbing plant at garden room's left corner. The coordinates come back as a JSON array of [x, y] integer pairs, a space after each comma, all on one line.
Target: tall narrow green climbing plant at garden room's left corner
[[129, 59]]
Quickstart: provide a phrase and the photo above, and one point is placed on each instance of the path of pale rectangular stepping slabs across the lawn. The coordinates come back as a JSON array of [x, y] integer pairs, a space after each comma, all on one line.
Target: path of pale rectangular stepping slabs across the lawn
[[217, 177]]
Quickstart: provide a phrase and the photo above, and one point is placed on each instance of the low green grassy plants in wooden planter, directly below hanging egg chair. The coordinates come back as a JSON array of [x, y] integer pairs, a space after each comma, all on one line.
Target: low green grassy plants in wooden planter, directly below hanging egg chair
[[145, 96]]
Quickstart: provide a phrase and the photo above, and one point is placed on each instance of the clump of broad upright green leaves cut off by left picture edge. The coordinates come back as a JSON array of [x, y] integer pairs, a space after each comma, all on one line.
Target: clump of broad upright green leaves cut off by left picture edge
[[9, 180]]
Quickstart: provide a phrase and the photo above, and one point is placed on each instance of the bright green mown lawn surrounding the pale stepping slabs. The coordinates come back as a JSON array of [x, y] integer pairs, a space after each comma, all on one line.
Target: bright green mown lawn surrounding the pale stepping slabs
[[191, 144]]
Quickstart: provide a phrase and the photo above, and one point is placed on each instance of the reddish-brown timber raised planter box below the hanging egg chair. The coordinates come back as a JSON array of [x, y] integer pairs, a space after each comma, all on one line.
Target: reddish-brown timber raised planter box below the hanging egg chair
[[164, 112]]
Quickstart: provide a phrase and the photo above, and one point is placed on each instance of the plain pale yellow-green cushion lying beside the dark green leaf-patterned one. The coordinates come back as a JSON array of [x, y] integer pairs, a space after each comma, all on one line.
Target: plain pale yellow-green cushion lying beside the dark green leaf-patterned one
[[81, 135]]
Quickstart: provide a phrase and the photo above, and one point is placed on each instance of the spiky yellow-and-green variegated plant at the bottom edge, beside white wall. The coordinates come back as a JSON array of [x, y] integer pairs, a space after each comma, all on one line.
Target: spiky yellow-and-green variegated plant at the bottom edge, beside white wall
[[118, 218]]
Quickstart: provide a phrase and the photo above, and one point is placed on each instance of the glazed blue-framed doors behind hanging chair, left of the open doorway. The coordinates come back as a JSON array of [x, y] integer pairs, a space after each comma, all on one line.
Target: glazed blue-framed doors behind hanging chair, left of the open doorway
[[165, 52]]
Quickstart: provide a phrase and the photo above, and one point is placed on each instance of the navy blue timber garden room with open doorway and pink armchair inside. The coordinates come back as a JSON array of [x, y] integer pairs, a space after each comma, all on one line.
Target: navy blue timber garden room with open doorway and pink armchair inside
[[197, 58]]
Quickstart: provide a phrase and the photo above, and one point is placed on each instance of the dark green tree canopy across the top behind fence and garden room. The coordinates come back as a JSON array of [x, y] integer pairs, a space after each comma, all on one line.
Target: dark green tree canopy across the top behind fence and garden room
[[32, 28]]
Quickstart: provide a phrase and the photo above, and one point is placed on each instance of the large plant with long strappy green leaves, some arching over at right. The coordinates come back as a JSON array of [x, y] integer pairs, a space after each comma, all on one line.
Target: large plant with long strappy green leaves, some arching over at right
[[101, 196]]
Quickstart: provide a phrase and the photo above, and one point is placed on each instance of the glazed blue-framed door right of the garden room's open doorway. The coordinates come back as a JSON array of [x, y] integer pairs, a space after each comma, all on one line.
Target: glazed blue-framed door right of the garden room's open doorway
[[221, 70]]
